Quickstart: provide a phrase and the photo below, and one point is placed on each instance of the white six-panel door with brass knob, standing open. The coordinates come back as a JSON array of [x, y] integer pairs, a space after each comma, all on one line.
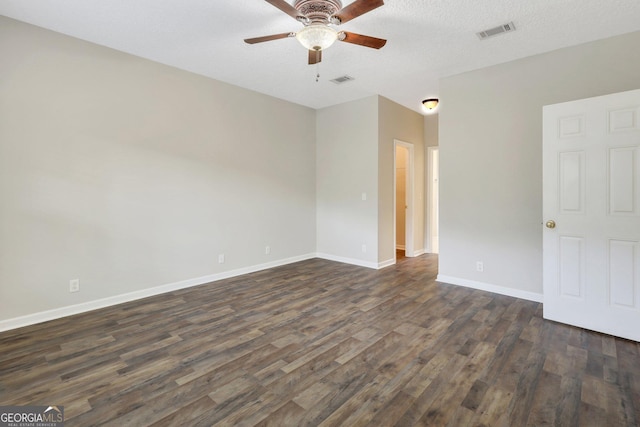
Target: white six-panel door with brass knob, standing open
[[591, 186]]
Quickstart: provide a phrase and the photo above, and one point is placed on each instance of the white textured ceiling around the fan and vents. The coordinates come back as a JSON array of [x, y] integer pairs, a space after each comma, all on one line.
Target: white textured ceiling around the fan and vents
[[427, 40]]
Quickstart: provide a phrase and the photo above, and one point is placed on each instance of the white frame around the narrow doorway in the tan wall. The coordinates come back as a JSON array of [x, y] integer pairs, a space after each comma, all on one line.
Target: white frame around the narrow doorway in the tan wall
[[410, 185]]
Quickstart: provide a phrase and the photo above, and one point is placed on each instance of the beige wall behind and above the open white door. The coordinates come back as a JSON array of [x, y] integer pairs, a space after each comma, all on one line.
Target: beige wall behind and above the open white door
[[490, 131]]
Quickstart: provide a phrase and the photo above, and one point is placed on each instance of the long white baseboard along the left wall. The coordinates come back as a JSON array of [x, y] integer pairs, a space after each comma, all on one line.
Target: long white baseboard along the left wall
[[57, 313]]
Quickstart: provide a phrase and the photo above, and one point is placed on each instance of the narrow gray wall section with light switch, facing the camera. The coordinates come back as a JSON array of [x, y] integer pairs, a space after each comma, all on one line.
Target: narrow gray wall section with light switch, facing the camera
[[347, 166]]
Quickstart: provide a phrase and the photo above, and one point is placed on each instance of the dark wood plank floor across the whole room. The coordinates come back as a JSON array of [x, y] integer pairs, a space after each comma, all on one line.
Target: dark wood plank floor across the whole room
[[323, 343]]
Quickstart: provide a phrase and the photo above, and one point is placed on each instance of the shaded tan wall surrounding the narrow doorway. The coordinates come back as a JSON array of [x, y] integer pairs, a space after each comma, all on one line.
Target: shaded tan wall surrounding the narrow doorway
[[398, 123]]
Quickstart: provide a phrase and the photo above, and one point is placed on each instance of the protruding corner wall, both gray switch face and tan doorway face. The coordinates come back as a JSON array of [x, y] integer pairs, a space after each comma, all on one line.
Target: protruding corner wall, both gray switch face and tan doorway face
[[355, 155]]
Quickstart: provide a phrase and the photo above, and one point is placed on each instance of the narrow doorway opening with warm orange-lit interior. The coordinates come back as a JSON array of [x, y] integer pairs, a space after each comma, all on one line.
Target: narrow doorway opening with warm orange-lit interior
[[403, 197]]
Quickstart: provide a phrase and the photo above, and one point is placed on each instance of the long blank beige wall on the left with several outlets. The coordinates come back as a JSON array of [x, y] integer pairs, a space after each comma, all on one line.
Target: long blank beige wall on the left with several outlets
[[127, 174]]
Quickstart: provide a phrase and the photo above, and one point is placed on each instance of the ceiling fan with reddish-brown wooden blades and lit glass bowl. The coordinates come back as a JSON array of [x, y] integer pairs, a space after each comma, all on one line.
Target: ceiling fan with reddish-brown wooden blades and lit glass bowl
[[319, 18]]
